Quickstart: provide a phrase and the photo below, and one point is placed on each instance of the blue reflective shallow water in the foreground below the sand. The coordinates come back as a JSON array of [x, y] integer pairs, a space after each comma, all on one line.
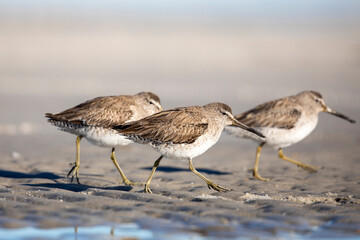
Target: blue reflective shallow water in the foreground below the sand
[[151, 229]]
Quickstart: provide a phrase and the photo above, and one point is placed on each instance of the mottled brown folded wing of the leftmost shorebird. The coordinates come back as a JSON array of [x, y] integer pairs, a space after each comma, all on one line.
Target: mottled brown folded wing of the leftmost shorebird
[[100, 111]]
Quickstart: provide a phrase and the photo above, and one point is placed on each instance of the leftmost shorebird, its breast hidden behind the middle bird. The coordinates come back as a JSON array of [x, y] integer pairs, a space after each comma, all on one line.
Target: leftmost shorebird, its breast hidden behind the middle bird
[[94, 118]]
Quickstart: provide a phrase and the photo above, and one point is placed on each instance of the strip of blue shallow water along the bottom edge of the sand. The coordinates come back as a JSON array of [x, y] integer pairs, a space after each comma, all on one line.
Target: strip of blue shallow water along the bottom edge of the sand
[[134, 231]]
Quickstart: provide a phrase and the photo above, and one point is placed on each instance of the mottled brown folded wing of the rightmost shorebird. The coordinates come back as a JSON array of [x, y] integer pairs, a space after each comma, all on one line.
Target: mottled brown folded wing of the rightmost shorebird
[[281, 113]]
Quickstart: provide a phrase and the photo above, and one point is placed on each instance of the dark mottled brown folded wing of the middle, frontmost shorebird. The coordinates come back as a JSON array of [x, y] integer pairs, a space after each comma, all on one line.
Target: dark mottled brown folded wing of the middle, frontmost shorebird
[[177, 126]]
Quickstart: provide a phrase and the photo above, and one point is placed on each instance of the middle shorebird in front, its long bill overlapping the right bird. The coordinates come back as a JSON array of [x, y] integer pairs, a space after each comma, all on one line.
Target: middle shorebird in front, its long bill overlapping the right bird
[[182, 134]]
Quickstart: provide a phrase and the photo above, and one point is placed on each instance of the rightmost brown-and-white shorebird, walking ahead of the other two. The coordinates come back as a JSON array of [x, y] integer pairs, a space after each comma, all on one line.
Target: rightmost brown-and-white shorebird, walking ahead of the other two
[[284, 122]]
